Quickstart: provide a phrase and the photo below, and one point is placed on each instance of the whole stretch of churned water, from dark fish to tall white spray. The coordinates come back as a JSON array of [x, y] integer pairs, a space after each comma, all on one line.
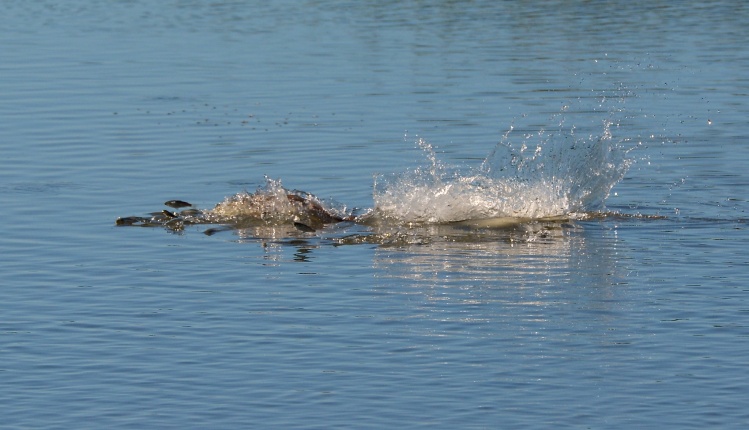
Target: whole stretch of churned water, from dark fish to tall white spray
[[529, 176]]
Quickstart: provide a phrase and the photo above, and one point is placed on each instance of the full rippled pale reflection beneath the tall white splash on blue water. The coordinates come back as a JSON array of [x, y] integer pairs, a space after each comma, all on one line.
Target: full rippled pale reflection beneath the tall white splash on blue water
[[555, 291]]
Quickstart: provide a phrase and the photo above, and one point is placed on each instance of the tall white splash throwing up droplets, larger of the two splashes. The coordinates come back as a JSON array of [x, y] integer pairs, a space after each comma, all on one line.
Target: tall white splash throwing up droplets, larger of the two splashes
[[545, 174]]
